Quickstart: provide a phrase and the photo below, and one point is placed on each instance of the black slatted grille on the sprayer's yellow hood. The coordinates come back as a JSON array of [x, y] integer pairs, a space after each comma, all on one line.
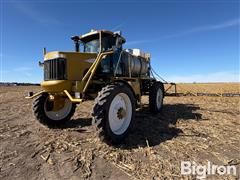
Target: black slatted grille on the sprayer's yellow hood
[[55, 69]]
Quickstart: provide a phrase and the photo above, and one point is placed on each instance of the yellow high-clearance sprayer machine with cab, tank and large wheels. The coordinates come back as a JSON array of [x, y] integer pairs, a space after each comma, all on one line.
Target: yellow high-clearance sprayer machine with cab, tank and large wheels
[[101, 70]]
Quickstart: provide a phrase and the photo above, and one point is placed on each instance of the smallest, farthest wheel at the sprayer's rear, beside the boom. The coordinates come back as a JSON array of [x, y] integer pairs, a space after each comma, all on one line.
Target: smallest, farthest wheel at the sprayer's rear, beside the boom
[[156, 95]]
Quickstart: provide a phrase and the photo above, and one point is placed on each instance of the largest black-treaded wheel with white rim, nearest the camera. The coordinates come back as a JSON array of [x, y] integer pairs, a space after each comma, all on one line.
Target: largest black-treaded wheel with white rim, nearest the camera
[[114, 113]]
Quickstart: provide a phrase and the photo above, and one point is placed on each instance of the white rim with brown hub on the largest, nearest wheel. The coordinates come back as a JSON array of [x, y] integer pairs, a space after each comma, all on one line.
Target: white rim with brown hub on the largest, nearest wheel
[[120, 113]]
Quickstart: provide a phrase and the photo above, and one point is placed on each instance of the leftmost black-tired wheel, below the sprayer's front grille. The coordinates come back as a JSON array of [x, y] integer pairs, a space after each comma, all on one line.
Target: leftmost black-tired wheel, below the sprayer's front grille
[[45, 114]]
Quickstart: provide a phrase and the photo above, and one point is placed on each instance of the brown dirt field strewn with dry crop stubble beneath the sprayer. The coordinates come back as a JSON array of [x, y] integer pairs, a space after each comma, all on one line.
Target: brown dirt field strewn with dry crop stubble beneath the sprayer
[[198, 129]]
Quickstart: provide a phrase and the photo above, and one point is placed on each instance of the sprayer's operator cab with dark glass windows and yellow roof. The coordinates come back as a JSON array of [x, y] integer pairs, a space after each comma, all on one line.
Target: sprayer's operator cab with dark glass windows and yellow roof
[[97, 41]]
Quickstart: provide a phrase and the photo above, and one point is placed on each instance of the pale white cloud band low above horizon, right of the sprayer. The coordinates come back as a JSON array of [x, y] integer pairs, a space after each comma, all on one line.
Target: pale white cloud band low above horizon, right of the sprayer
[[210, 77]]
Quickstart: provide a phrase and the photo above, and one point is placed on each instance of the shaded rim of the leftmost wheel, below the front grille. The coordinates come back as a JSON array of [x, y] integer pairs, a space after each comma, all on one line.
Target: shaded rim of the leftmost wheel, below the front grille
[[59, 114]]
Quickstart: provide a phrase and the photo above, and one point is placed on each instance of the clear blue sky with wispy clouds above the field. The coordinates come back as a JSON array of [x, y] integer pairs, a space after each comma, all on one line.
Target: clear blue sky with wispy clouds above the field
[[189, 40]]
